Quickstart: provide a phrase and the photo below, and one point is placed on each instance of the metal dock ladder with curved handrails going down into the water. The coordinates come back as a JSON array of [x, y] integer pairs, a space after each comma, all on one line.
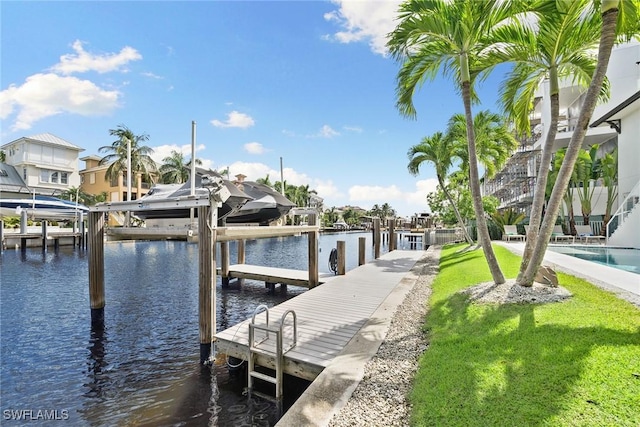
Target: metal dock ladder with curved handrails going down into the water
[[278, 353]]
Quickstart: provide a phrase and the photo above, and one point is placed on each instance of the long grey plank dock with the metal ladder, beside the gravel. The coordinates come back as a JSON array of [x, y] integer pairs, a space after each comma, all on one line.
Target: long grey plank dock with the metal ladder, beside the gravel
[[328, 316]]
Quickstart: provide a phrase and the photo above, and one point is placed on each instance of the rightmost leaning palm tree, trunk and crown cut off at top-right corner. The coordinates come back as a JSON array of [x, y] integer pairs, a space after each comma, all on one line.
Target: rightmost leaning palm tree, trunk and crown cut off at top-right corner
[[617, 17]]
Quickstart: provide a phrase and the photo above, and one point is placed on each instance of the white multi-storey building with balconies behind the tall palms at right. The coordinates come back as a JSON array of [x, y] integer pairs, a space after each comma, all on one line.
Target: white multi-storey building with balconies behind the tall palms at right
[[615, 124]]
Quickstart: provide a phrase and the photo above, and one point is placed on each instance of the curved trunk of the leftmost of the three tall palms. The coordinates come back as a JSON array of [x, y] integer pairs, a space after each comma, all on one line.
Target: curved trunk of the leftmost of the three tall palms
[[474, 181]]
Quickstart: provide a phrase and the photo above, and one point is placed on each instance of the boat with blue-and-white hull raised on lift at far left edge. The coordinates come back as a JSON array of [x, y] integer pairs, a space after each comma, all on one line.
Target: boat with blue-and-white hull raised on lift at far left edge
[[40, 207]]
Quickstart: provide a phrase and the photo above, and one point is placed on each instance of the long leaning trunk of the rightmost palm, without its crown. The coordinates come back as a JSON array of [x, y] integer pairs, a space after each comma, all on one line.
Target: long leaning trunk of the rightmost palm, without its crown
[[607, 38]]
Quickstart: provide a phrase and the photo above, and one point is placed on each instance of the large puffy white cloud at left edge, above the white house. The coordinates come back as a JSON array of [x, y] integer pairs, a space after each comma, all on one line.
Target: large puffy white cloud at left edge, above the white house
[[44, 95]]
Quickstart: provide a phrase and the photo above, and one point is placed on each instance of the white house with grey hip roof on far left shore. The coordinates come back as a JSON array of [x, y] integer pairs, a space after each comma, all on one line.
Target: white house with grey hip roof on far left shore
[[47, 164]]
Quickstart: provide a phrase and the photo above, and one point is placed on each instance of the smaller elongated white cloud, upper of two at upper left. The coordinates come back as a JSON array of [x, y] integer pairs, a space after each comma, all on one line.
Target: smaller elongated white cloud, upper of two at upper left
[[83, 61]]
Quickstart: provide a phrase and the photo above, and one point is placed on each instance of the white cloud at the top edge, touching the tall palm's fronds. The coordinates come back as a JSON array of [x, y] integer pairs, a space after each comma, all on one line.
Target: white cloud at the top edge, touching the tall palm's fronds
[[364, 21]]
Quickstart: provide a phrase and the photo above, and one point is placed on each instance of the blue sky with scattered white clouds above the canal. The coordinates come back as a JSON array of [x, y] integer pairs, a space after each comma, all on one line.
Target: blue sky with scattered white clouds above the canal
[[308, 81]]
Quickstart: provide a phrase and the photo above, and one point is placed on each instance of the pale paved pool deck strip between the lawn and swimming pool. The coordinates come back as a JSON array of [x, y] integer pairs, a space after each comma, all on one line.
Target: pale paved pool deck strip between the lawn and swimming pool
[[624, 284]]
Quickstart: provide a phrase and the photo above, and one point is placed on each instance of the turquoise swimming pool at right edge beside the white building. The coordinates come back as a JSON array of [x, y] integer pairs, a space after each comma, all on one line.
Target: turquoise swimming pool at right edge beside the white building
[[627, 259]]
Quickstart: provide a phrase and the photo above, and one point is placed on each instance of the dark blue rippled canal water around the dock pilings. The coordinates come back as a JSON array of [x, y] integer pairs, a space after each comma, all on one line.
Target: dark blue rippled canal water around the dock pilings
[[142, 367]]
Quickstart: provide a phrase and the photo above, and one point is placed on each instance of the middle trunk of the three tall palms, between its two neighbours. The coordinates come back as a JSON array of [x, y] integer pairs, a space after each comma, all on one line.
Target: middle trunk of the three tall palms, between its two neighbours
[[541, 181]]
